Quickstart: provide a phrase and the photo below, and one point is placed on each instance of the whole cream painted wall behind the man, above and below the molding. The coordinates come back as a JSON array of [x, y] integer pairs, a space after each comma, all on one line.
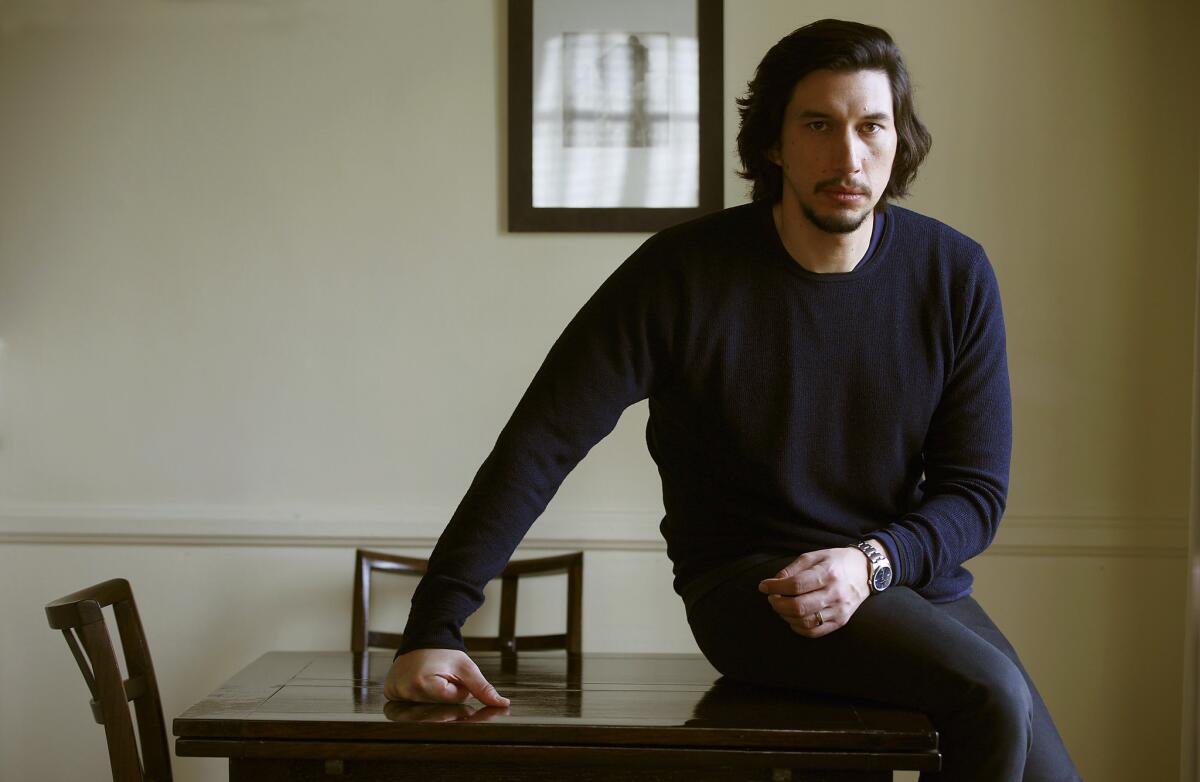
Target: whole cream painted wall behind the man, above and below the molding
[[257, 306]]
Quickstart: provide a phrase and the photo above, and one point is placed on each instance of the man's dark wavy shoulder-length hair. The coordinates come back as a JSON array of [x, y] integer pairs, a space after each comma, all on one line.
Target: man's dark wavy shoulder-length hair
[[830, 45]]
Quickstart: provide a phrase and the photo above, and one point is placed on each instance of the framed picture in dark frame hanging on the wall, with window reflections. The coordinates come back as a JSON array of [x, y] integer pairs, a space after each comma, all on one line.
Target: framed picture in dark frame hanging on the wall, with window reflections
[[615, 115]]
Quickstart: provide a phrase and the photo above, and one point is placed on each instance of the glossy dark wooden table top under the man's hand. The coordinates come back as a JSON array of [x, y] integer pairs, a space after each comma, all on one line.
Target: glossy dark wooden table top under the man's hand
[[599, 700]]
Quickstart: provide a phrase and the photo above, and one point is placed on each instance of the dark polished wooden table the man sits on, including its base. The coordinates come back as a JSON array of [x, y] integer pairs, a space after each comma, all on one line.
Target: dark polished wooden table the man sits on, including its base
[[663, 718]]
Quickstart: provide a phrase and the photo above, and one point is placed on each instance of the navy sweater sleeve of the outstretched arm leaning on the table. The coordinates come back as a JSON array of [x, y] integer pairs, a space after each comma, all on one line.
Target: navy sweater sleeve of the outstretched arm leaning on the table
[[611, 356]]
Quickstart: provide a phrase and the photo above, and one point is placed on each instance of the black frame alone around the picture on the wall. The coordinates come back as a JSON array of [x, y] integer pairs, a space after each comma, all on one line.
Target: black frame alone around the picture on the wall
[[525, 216]]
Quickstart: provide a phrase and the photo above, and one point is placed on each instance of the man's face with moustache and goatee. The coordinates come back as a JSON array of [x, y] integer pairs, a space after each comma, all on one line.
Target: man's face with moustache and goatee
[[837, 147]]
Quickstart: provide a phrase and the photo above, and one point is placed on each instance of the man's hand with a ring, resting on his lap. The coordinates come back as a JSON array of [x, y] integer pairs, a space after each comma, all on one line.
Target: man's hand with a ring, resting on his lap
[[820, 592]]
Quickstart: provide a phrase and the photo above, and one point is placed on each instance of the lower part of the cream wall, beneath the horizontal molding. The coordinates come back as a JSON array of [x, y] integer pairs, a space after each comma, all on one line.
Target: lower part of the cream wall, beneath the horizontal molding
[[1102, 636]]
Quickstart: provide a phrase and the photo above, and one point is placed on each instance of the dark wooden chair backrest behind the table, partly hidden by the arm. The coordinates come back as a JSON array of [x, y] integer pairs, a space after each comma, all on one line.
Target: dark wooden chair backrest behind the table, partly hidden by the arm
[[506, 641]]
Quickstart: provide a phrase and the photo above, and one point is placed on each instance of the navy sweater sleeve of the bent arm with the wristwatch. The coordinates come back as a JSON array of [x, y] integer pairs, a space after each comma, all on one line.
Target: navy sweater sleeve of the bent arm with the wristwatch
[[968, 447]]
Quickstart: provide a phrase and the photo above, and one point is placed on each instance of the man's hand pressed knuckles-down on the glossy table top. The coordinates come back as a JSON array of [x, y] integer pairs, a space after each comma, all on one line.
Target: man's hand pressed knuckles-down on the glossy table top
[[440, 676]]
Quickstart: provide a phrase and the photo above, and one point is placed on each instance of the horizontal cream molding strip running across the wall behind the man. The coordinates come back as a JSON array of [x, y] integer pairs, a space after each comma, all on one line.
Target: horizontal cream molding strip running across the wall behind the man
[[419, 528]]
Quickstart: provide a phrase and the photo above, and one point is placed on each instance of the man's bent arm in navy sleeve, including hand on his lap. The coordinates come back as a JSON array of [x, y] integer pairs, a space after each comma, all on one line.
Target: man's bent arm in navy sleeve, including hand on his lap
[[967, 456]]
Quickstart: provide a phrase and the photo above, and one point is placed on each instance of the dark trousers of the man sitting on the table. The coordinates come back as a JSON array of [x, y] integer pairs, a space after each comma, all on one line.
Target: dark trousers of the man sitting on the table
[[947, 660]]
